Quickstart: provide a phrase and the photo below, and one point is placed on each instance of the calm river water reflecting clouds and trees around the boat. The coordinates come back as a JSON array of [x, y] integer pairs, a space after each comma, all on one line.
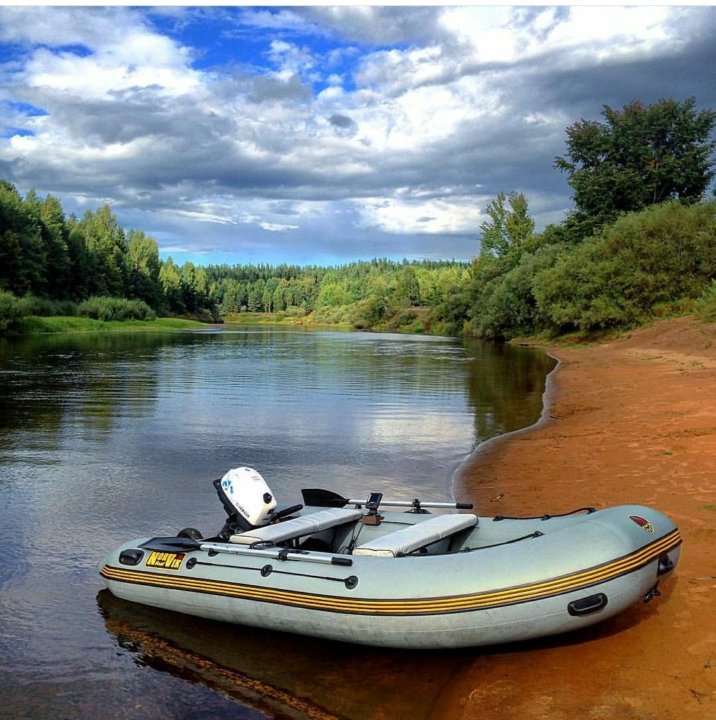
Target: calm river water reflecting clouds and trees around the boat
[[107, 437]]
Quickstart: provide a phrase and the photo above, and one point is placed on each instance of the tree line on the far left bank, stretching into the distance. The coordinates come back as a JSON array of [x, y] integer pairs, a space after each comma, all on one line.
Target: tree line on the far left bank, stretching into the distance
[[52, 264]]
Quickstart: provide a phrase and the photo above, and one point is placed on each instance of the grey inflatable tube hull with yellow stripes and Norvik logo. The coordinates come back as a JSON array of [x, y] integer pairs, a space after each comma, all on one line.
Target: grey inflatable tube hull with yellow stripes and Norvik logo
[[559, 574]]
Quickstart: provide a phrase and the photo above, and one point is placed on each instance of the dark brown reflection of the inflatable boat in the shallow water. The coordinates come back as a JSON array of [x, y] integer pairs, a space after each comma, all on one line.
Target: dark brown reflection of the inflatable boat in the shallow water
[[284, 674]]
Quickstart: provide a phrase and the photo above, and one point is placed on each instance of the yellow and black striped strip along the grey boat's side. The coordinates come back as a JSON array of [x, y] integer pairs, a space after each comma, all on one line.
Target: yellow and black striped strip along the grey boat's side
[[407, 607]]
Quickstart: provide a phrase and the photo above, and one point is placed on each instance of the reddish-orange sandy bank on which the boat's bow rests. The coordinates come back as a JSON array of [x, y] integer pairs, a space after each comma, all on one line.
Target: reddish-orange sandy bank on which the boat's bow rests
[[630, 420]]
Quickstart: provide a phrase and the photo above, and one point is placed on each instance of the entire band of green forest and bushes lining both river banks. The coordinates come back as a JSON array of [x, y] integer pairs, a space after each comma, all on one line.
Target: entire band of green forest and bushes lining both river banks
[[639, 243]]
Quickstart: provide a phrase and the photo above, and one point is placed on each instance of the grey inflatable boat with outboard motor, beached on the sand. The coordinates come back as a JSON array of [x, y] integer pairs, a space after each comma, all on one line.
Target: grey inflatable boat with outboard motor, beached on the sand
[[392, 573]]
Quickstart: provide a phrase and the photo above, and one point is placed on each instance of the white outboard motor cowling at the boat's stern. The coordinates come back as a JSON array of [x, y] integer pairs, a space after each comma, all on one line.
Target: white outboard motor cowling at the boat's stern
[[245, 495]]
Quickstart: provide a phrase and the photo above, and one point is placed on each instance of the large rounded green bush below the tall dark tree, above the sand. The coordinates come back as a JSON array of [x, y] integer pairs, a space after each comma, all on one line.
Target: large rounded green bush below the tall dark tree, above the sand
[[661, 255]]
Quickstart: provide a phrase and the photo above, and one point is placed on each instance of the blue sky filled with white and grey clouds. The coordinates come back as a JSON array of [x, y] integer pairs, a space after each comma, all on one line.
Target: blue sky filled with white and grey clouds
[[324, 134]]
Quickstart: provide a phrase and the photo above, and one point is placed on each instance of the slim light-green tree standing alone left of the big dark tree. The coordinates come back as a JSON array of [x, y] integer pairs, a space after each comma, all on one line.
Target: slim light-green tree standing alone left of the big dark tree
[[508, 227]]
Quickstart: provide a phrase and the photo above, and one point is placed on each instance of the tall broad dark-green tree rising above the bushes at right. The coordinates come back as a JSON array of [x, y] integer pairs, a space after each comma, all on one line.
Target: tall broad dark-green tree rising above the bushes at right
[[641, 155]]
